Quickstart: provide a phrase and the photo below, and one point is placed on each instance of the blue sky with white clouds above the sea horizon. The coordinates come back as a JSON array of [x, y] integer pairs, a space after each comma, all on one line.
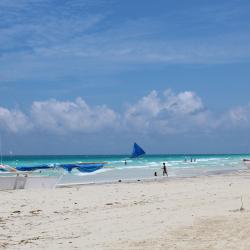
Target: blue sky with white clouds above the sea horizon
[[92, 77]]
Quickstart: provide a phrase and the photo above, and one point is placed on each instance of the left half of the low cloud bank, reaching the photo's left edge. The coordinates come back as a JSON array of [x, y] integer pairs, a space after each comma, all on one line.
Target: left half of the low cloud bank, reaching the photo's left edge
[[59, 117]]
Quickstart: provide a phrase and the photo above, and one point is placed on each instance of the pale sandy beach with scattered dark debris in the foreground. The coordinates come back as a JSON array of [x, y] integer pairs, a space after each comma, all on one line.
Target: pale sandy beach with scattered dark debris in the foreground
[[188, 213]]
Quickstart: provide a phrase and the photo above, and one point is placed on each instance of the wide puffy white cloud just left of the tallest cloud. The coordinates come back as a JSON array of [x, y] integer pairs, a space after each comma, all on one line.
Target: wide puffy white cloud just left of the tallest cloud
[[53, 115]]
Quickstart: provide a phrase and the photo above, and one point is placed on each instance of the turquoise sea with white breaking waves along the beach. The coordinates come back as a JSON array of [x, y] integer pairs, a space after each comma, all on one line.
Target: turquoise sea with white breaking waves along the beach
[[143, 167]]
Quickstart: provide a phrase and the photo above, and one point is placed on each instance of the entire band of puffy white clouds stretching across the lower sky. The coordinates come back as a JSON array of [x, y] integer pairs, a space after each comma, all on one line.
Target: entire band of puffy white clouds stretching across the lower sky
[[163, 113]]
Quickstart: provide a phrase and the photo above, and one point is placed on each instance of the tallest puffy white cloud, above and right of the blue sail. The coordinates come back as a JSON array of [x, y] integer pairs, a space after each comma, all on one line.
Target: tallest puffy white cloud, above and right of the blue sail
[[167, 113]]
